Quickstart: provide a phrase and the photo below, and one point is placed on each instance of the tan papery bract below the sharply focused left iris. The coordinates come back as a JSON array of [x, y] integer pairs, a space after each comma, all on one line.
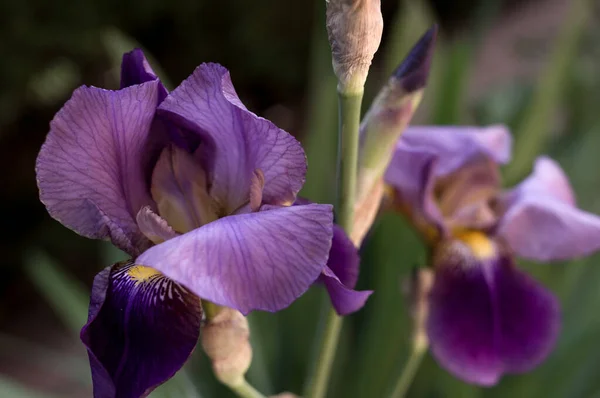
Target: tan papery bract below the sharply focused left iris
[[225, 339]]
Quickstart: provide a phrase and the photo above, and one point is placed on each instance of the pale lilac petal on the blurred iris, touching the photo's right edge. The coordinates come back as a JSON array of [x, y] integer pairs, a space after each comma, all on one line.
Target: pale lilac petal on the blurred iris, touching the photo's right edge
[[540, 220]]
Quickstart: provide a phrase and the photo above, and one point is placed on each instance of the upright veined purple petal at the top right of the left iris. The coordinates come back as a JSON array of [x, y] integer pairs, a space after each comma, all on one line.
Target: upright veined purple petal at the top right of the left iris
[[241, 142]]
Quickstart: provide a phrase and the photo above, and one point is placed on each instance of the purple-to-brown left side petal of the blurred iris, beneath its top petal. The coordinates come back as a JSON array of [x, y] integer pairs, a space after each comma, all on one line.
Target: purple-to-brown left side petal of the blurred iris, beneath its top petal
[[411, 174]]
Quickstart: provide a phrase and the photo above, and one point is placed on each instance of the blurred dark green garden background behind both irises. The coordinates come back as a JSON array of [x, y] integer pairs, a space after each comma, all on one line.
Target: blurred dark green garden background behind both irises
[[533, 65]]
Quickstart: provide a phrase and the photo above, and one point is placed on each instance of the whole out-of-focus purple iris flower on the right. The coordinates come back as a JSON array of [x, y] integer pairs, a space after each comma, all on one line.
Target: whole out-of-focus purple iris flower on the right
[[486, 317]]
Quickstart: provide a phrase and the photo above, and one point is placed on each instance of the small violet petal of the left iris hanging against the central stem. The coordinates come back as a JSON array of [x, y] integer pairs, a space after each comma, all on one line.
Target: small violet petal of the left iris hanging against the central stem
[[341, 274]]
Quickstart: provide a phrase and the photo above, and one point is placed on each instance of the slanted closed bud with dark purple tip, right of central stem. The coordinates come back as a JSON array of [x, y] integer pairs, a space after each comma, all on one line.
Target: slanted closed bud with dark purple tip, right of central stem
[[382, 126]]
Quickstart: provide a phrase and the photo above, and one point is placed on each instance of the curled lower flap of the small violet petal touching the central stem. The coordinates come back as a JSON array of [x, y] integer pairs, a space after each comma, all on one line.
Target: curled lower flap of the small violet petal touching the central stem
[[344, 299]]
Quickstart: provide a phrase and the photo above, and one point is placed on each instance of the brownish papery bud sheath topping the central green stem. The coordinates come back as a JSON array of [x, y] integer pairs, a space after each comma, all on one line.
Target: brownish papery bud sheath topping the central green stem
[[354, 29]]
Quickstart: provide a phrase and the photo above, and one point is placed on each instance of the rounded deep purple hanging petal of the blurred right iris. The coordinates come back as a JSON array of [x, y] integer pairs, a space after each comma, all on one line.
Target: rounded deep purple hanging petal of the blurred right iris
[[488, 318]]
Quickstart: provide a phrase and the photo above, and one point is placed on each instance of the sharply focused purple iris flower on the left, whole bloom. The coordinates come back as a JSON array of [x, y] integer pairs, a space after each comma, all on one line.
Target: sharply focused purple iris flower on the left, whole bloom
[[198, 191]]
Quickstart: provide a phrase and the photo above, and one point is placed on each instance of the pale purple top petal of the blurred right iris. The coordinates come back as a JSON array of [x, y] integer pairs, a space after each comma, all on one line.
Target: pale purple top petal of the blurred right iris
[[455, 146]]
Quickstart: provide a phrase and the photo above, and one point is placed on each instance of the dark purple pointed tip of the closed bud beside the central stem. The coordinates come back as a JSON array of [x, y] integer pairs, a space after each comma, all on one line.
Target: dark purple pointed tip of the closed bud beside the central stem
[[414, 70]]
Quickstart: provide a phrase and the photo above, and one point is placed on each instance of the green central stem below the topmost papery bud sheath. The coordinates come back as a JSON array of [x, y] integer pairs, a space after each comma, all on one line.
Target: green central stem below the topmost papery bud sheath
[[349, 116]]
